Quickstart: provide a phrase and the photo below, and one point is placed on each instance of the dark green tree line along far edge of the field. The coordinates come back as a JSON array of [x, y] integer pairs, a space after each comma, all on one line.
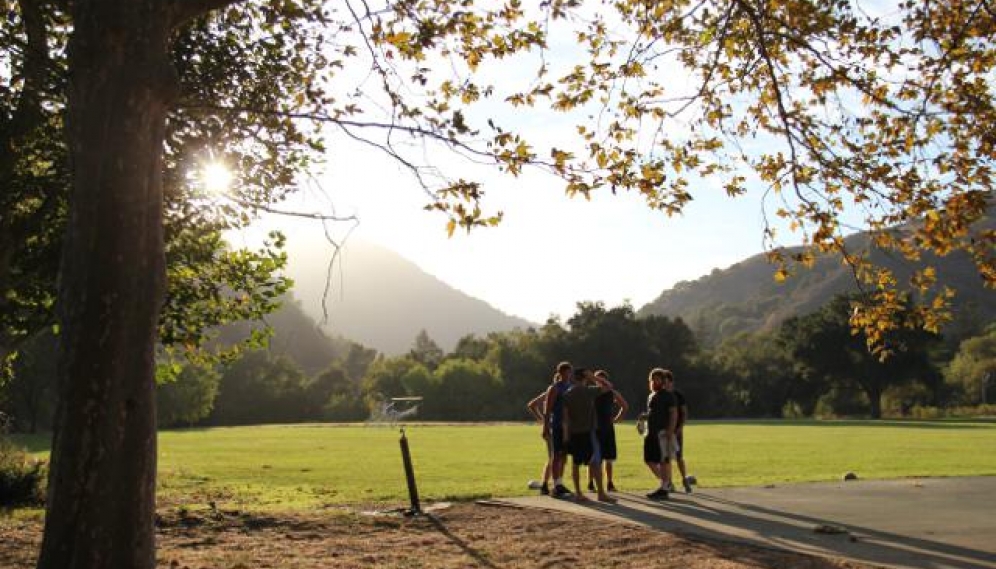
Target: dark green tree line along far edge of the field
[[813, 365]]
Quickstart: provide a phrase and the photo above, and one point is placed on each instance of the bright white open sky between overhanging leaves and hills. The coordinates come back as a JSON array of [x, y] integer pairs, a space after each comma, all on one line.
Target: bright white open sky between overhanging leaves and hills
[[550, 251]]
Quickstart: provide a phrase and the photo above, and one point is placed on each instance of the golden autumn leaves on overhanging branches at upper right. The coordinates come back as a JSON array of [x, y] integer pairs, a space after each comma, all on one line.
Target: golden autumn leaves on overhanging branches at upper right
[[846, 117]]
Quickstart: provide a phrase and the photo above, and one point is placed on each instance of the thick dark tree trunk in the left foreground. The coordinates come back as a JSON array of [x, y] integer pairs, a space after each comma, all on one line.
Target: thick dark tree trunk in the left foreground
[[101, 494]]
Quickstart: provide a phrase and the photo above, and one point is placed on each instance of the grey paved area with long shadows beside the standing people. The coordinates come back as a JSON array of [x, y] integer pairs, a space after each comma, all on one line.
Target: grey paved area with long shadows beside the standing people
[[930, 523]]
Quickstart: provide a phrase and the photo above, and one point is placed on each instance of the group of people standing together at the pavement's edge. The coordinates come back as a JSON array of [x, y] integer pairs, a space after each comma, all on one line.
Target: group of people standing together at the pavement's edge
[[578, 412]]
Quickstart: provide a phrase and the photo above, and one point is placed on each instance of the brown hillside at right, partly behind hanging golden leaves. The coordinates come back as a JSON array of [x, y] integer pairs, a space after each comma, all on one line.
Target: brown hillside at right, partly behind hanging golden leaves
[[745, 296]]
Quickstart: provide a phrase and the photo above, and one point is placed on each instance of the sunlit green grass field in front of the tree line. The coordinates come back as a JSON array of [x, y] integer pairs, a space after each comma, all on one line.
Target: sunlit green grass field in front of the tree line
[[306, 466]]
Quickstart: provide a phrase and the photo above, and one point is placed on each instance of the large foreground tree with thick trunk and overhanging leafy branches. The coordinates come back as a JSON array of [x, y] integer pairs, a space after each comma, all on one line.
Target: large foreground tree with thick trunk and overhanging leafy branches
[[815, 82]]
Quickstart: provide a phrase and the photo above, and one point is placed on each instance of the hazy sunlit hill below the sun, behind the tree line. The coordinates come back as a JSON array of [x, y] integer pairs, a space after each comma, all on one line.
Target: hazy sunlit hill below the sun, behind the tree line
[[382, 300]]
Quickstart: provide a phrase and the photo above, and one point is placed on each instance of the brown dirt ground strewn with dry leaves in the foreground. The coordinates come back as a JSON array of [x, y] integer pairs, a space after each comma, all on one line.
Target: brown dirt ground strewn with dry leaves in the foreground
[[464, 535]]
